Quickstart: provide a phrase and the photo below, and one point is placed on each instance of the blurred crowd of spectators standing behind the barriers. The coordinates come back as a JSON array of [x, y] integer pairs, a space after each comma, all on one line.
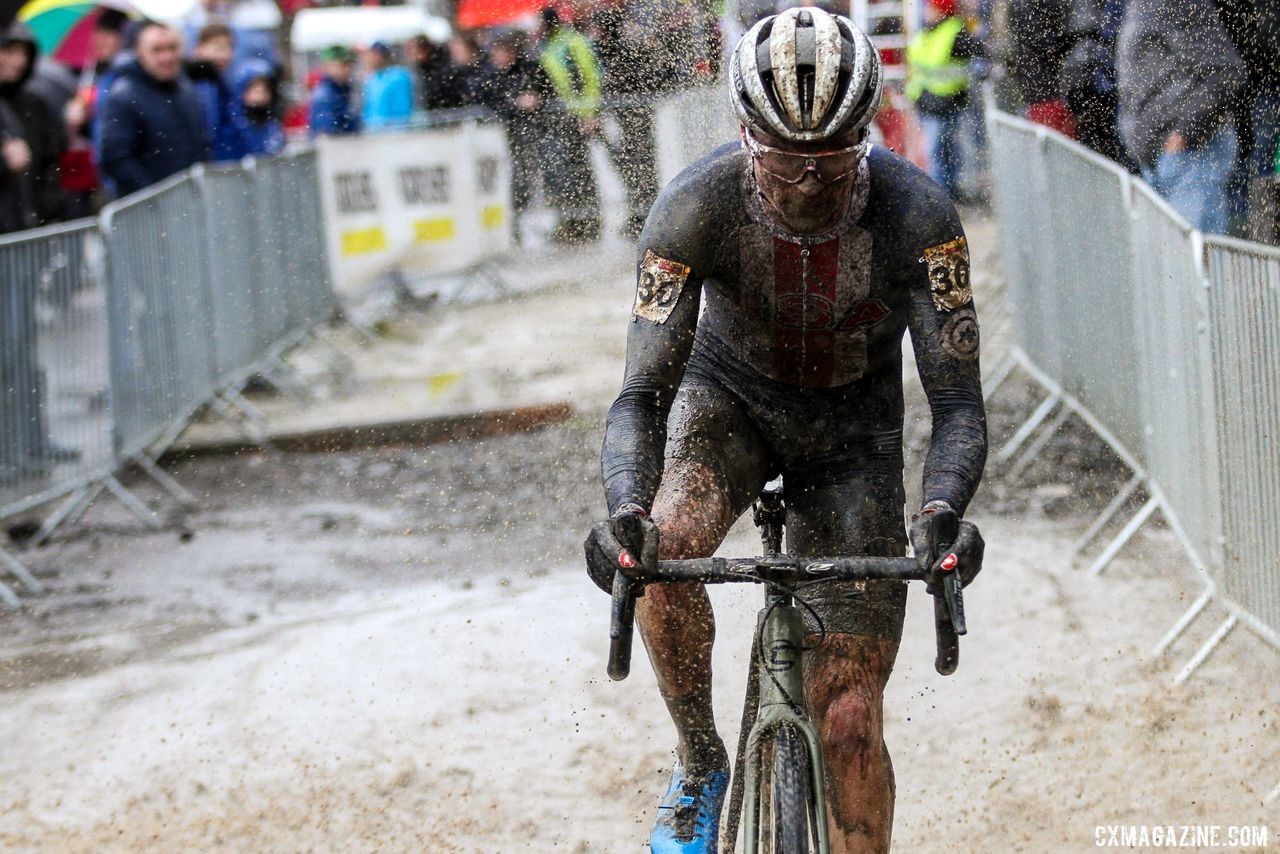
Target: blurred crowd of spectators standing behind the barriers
[[100, 101]]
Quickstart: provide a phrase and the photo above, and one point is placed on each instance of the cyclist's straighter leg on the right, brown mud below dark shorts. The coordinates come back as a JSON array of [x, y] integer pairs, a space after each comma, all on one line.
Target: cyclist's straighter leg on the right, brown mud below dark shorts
[[845, 677]]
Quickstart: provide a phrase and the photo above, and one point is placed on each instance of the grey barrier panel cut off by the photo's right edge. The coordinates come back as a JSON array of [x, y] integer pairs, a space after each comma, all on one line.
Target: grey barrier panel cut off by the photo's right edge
[[1245, 323]]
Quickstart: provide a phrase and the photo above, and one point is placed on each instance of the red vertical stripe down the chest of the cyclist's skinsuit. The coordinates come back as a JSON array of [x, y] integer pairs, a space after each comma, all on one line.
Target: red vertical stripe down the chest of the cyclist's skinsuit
[[806, 281]]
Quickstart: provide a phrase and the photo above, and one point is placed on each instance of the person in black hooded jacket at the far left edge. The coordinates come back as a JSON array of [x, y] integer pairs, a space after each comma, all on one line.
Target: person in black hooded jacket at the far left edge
[[40, 125]]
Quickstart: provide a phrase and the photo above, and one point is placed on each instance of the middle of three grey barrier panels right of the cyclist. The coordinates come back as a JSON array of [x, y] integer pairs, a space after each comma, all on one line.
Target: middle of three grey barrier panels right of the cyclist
[[1174, 367]]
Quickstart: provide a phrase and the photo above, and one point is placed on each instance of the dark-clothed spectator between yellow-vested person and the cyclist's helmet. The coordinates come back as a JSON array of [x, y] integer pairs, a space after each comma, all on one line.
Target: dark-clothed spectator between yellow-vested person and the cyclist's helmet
[[633, 53]]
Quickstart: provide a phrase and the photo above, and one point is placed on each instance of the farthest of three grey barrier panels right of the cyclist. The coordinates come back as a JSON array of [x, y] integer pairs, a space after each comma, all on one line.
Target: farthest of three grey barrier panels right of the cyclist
[[1092, 257]]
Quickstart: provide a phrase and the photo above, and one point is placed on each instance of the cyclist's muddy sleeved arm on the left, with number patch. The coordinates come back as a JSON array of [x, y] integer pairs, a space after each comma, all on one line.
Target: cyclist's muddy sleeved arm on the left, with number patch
[[661, 335]]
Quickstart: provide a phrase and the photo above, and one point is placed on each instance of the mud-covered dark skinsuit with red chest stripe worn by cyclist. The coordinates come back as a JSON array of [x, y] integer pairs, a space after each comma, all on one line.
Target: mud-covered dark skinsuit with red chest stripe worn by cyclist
[[796, 367]]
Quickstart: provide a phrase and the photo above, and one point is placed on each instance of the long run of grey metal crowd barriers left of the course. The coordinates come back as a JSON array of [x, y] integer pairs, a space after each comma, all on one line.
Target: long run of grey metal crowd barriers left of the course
[[116, 332]]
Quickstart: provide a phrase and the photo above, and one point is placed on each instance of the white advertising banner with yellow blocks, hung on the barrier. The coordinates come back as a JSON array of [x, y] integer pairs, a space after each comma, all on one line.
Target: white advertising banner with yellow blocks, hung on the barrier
[[423, 203]]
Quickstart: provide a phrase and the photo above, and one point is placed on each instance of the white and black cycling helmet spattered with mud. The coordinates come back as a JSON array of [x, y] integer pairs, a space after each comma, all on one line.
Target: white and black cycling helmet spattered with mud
[[806, 75]]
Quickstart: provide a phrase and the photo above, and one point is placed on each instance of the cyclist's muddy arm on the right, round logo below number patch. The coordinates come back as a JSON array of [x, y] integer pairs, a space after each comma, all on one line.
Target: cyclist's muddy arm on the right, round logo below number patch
[[945, 337]]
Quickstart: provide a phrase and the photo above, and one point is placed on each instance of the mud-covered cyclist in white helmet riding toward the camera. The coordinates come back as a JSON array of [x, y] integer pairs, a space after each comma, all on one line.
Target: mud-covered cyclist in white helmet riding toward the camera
[[811, 254]]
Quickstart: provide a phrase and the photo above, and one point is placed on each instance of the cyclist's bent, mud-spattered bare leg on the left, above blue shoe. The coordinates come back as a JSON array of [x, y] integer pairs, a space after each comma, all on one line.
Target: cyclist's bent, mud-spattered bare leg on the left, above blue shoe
[[716, 467]]
